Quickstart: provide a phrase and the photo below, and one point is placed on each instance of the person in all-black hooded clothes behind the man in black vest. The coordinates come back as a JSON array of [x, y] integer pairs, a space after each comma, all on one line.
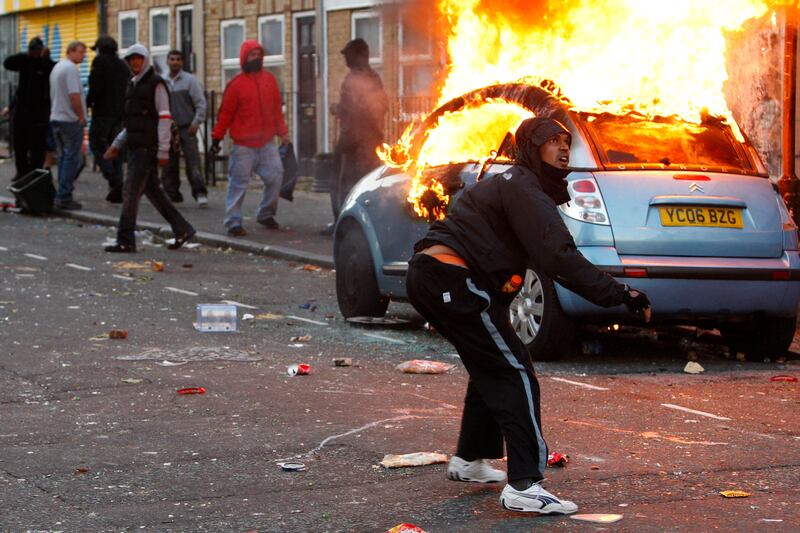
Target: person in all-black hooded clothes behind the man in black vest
[[108, 79]]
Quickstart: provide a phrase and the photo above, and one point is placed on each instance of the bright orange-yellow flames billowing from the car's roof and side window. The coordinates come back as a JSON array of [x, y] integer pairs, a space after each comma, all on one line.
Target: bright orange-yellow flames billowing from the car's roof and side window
[[653, 57]]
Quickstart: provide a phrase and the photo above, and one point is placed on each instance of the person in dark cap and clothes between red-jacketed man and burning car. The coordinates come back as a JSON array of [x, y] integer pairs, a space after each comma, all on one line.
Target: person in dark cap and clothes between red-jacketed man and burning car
[[361, 110]]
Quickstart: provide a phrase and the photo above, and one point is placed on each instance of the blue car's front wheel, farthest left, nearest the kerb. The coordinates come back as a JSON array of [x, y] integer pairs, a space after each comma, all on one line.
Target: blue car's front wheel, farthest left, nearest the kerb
[[356, 286]]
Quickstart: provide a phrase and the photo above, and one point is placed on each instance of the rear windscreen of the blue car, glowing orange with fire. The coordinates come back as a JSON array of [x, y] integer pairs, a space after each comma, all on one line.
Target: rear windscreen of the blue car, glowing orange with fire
[[635, 142]]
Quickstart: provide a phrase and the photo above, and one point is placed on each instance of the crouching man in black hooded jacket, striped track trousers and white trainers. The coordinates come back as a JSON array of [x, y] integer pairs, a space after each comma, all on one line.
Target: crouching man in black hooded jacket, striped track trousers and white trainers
[[458, 280]]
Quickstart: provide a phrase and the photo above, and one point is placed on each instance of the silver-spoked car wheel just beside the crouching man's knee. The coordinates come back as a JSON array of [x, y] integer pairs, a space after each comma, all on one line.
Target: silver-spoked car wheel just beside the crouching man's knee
[[539, 321]]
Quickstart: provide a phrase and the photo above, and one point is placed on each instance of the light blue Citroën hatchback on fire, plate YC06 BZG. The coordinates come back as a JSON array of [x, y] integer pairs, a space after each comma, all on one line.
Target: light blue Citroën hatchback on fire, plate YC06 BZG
[[683, 210]]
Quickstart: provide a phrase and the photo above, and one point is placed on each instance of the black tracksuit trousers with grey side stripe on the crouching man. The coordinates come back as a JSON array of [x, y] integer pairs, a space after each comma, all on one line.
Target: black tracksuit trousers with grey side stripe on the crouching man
[[502, 400]]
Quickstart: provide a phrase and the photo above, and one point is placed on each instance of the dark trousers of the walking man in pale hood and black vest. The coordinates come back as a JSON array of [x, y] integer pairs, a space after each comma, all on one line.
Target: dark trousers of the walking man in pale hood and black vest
[[142, 179]]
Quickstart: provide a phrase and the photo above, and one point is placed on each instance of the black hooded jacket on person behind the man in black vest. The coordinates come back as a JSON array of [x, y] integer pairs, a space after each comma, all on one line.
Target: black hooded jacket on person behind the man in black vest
[[108, 81]]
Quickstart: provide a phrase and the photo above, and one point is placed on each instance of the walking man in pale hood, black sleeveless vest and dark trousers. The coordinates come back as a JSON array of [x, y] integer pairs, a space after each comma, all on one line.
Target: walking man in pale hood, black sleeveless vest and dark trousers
[[146, 137]]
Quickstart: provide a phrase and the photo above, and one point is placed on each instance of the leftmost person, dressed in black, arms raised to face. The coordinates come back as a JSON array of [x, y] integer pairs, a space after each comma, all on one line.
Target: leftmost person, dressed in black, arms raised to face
[[31, 113]]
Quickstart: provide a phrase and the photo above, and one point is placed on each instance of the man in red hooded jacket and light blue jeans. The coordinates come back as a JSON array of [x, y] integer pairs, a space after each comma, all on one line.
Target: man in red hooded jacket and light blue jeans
[[251, 111]]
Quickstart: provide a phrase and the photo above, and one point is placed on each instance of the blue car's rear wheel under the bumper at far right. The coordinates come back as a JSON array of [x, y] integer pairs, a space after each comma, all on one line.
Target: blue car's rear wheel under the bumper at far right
[[767, 338]]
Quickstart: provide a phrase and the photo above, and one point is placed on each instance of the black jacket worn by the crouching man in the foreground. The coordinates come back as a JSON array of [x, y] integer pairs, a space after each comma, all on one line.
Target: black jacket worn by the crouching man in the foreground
[[507, 223]]
